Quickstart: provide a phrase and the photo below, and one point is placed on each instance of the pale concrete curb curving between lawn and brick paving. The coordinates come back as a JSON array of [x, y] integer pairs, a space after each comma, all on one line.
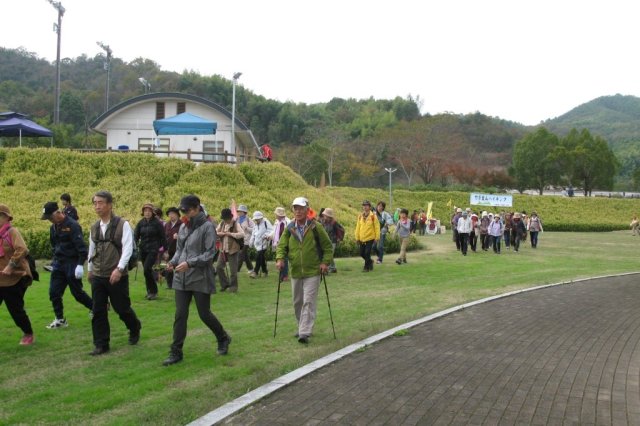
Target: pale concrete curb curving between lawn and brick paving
[[249, 398]]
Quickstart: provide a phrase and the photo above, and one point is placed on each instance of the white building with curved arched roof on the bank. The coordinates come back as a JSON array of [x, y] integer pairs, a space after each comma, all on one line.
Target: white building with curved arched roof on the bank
[[129, 125]]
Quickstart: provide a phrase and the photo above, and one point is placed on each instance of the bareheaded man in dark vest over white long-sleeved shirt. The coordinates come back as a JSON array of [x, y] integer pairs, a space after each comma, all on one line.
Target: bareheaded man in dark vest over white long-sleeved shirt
[[110, 247]]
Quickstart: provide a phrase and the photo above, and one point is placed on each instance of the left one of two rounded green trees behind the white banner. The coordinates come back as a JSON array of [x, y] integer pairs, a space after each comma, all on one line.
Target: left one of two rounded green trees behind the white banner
[[535, 162]]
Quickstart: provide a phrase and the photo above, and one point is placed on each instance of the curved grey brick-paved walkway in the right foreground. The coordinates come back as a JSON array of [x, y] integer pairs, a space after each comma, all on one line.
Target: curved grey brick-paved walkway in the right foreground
[[568, 354]]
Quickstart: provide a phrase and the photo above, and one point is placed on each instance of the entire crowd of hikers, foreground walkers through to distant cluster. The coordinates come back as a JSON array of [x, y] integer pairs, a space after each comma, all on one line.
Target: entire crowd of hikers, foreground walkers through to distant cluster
[[190, 249]]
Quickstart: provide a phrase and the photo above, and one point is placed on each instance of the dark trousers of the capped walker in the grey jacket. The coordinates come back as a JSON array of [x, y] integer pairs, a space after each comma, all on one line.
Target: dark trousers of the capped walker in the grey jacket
[[203, 304]]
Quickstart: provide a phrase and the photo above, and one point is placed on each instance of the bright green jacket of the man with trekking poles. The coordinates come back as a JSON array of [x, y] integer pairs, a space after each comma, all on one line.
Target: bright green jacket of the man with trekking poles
[[304, 260]]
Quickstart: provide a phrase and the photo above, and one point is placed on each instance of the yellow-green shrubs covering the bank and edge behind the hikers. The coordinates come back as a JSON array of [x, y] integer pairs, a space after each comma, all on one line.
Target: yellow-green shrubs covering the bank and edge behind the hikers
[[29, 178]]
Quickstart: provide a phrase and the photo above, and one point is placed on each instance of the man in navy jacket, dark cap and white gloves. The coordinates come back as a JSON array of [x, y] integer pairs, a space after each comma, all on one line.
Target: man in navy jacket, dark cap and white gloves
[[69, 254]]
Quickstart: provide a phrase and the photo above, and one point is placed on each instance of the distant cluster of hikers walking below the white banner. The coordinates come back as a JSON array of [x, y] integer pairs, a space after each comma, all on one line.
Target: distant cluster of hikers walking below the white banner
[[491, 228]]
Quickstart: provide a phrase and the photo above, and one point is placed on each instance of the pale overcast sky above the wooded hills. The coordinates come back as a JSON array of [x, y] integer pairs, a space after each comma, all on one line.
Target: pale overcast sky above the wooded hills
[[525, 61]]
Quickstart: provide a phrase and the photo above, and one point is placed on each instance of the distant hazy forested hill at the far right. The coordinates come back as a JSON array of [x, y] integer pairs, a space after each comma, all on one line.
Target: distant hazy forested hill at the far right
[[615, 118]]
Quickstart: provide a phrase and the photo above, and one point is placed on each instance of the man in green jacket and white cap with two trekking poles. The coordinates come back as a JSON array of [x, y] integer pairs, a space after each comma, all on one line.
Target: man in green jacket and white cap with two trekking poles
[[309, 249]]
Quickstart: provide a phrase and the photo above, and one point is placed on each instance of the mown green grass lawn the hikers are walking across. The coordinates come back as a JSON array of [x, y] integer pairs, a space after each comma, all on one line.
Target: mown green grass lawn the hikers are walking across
[[55, 381]]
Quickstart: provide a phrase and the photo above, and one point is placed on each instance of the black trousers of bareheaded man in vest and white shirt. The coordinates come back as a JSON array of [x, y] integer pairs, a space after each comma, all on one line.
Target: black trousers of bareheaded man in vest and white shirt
[[103, 292]]
